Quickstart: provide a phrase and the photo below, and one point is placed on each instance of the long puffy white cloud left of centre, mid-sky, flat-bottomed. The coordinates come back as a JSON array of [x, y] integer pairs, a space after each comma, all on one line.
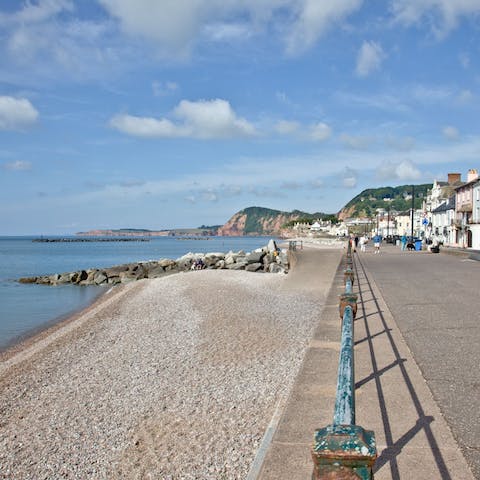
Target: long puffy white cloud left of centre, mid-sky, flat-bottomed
[[204, 119]]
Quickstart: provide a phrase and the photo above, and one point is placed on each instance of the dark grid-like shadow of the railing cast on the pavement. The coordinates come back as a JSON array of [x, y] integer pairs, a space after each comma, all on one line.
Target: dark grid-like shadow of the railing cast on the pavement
[[423, 423]]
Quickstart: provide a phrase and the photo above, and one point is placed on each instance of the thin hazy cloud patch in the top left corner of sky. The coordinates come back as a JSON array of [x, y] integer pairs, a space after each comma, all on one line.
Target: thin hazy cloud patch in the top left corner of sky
[[44, 41]]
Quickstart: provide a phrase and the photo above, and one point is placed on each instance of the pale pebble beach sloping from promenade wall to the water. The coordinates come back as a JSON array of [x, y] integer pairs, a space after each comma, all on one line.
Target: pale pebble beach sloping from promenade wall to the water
[[168, 378]]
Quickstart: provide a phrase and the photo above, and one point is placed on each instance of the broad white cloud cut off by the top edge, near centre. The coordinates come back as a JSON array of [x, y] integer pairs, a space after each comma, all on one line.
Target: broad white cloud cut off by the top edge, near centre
[[175, 25]]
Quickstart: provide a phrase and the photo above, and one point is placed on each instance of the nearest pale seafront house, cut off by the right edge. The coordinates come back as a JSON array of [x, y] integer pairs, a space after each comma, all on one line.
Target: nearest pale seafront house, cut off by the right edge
[[464, 210]]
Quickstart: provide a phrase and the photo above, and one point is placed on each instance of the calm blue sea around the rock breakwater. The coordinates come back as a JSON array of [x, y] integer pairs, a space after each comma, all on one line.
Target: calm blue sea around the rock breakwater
[[25, 309]]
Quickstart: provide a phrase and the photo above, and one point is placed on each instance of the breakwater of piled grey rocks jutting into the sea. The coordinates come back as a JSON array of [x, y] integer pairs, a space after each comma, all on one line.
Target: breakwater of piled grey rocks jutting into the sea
[[267, 259]]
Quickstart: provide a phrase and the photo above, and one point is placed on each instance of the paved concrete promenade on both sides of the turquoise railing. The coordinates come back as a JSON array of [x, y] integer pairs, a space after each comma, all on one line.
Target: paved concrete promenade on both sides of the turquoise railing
[[416, 369]]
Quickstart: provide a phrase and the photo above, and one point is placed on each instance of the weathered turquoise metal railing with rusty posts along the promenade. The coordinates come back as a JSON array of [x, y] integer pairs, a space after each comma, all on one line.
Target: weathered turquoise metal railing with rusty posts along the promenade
[[343, 450]]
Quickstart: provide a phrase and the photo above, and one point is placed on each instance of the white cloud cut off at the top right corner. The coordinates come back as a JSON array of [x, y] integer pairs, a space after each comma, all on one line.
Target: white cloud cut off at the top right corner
[[441, 15]]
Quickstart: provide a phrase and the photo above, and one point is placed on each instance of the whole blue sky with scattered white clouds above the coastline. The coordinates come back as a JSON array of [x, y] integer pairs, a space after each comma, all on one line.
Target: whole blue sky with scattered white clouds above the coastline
[[176, 113]]
